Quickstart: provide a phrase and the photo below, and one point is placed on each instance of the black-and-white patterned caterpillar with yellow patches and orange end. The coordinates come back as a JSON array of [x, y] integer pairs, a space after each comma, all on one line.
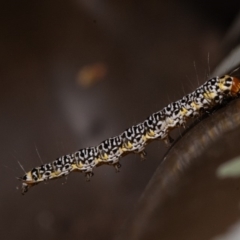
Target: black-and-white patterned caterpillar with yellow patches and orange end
[[134, 139]]
